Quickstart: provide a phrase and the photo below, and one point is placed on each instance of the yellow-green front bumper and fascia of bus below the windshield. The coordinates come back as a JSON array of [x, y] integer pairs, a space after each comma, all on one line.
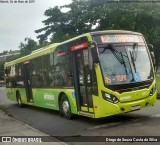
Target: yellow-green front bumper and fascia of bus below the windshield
[[128, 100]]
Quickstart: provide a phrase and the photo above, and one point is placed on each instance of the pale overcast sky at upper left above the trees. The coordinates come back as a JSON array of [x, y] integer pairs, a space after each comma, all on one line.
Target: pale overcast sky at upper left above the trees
[[20, 20]]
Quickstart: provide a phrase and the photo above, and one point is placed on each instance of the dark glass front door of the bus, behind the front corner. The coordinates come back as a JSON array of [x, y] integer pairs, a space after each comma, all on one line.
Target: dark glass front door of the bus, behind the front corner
[[83, 86]]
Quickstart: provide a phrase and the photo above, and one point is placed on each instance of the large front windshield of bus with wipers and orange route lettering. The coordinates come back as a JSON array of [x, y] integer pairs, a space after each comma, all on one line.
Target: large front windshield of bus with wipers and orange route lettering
[[124, 64]]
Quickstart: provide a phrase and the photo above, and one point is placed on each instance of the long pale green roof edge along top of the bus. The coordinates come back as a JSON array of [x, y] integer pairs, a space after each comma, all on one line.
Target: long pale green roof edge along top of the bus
[[51, 47]]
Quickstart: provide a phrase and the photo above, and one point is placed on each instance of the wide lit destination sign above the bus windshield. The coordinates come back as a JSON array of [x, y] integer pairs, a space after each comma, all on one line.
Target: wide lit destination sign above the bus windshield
[[118, 38]]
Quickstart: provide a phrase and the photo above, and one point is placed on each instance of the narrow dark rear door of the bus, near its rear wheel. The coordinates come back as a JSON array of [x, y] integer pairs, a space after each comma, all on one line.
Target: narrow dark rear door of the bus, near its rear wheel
[[27, 84]]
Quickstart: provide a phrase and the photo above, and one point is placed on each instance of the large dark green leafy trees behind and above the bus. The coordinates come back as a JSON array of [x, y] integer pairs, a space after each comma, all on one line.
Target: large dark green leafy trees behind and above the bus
[[92, 15]]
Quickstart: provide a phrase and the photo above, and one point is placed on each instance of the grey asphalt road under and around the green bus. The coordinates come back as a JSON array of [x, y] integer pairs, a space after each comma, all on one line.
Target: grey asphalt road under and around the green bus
[[145, 122]]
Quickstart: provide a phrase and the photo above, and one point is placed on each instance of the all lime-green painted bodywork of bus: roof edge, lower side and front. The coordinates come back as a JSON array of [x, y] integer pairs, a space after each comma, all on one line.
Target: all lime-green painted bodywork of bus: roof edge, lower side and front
[[49, 97]]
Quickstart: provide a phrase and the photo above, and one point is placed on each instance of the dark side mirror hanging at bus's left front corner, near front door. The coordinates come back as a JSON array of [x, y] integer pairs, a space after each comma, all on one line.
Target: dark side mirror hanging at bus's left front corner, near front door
[[94, 51]]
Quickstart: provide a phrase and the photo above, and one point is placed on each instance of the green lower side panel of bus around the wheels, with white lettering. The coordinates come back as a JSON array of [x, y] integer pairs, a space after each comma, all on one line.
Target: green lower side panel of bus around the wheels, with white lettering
[[46, 98]]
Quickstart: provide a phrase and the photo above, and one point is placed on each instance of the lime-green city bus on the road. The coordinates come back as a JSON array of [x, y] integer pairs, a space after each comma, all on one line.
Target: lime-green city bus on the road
[[96, 74]]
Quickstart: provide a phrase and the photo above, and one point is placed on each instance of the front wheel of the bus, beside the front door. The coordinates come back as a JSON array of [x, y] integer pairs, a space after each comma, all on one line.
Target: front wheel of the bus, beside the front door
[[65, 108]]
